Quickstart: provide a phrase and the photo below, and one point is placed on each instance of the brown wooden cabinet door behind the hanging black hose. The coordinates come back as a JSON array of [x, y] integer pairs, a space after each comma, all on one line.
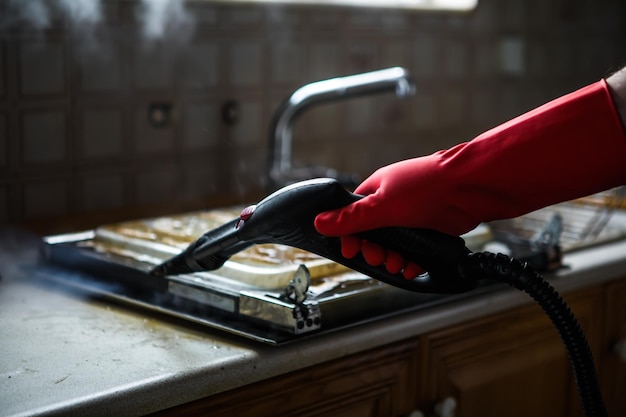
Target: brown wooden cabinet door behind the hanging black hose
[[512, 363]]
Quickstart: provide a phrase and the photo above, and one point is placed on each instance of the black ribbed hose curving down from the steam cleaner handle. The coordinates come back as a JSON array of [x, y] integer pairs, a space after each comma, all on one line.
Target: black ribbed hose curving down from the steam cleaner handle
[[519, 275]]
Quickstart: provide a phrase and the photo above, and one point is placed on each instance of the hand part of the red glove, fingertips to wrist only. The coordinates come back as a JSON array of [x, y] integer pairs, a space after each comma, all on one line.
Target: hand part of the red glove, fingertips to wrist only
[[410, 193]]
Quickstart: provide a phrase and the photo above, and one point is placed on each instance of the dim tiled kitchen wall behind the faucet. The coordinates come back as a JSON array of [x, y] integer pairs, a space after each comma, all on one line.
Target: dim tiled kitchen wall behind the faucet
[[75, 137]]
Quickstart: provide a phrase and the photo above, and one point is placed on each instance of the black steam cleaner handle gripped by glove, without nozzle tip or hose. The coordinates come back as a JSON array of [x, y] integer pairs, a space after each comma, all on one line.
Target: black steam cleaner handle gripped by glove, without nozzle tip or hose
[[287, 217]]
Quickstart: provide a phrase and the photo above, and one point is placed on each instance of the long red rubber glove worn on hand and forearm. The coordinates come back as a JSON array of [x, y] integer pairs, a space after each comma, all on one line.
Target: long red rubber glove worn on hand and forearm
[[568, 148]]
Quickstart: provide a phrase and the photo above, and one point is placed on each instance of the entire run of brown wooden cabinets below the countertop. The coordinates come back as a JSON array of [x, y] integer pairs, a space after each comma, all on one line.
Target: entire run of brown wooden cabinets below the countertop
[[512, 363]]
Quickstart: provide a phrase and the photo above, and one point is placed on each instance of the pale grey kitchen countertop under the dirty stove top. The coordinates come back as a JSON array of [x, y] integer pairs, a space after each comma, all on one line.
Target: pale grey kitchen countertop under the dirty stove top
[[64, 352]]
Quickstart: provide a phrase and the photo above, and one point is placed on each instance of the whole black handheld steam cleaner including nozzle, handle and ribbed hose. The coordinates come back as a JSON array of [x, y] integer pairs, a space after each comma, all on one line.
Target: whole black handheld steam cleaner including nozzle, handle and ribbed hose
[[287, 217]]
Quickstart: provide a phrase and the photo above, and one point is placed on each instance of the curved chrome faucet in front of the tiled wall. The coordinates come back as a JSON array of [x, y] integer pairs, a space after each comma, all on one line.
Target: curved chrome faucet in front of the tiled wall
[[281, 171]]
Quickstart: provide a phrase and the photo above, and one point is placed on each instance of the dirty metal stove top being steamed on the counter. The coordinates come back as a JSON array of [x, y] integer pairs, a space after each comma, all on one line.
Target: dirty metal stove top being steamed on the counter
[[270, 293]]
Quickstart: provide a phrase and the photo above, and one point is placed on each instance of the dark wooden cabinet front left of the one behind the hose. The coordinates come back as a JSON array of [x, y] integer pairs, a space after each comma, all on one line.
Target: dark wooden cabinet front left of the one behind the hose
[[380, 382]]
